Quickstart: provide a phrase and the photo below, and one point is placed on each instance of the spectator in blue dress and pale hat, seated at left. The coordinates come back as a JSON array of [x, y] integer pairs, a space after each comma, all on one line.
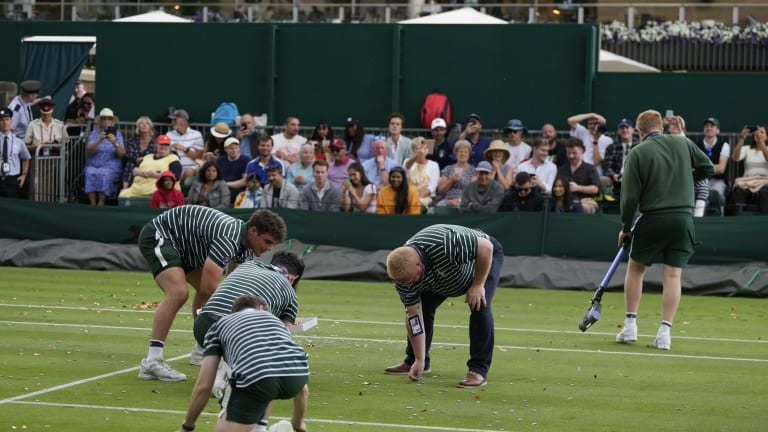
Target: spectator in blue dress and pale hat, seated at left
[[104, 160]]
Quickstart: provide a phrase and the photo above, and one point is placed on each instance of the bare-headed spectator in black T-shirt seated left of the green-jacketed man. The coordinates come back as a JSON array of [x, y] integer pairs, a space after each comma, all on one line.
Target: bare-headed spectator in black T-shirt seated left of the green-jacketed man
[[583, 180]]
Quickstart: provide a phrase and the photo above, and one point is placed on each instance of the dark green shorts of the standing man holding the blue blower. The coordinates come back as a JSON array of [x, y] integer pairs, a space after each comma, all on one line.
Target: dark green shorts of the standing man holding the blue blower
[[669, 234]]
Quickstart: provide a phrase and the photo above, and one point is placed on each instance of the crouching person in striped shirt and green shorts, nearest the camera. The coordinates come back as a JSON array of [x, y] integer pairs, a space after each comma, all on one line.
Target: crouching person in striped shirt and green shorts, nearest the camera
[[266, 365]]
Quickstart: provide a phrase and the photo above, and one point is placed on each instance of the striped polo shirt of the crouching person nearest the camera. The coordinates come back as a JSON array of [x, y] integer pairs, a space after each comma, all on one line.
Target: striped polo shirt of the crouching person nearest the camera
[[257, 346]]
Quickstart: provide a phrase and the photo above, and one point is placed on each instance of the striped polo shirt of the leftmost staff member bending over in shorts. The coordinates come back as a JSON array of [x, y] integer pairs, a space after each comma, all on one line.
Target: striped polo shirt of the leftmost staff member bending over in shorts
[[198, 232]]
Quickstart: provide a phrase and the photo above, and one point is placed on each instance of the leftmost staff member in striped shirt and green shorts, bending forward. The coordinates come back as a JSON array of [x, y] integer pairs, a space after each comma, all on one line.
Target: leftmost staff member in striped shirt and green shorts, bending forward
[[194, 244]]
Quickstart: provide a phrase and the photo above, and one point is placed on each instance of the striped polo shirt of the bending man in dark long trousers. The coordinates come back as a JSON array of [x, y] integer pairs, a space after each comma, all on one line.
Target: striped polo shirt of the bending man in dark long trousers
[[448, 253]]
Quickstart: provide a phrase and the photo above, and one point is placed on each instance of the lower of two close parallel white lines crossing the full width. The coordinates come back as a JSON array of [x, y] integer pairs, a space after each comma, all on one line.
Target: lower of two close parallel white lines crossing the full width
[[390, 341]]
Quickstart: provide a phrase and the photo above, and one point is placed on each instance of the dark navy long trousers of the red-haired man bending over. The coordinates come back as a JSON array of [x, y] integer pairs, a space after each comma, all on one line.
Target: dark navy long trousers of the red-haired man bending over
[[481, 331]]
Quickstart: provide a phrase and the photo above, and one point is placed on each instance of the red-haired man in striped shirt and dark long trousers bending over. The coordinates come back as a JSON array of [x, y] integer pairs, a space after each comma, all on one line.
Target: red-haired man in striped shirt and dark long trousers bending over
[[444, 261]]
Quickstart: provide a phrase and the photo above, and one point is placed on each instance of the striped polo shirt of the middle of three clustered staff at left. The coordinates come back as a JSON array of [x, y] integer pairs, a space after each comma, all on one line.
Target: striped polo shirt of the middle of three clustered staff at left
[[263, 280]]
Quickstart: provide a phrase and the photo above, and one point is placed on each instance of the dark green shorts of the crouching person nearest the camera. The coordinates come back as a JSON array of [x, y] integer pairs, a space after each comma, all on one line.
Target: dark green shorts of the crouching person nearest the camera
[[247, 405]]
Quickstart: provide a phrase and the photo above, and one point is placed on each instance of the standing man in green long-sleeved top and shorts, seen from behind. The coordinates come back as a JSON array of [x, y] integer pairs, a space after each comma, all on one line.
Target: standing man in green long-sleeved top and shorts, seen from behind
[[658, 180]]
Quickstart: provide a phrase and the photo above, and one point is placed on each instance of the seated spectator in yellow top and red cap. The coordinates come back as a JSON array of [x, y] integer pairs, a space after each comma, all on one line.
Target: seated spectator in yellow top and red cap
[[152, 166]]
